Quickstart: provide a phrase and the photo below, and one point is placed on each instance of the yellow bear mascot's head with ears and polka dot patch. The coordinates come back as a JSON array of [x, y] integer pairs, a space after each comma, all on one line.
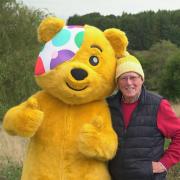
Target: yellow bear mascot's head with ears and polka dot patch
[[77, 63]]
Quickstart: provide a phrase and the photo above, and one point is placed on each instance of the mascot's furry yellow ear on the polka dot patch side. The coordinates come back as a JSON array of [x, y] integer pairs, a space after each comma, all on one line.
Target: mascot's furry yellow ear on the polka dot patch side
[[48, 28]]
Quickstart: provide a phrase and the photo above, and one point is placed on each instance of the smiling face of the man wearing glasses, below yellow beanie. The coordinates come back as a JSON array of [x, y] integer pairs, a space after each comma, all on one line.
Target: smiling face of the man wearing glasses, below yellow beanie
[[130, 85]]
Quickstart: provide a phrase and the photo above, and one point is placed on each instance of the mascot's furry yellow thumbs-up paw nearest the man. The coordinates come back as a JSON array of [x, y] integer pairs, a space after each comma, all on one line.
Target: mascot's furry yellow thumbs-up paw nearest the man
[[97, 139]]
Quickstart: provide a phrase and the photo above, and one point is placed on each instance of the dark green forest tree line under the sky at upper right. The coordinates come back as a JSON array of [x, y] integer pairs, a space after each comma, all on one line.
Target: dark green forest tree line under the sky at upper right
[[143, 29]]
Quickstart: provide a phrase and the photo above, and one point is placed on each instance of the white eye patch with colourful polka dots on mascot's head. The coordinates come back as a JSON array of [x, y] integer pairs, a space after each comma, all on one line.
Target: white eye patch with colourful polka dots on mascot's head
[[61, 48]]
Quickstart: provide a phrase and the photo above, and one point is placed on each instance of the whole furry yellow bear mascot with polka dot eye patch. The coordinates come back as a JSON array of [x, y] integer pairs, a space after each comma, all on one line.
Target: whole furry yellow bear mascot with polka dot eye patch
[[68, 121]]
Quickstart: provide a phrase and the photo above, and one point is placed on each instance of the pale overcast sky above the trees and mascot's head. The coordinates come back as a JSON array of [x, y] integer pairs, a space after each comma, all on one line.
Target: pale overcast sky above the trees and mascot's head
[[66, 8]]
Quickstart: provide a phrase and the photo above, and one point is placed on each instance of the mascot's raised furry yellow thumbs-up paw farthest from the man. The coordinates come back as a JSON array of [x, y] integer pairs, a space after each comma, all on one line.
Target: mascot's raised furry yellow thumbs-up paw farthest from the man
[[24, 119]]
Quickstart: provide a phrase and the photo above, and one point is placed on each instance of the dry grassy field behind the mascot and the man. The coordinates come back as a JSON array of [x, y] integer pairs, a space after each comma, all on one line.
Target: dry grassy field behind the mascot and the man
[[12, 150]]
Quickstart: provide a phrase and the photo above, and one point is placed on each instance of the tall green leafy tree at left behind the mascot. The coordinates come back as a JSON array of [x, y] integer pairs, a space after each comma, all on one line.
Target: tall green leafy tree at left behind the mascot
[[18, 52]]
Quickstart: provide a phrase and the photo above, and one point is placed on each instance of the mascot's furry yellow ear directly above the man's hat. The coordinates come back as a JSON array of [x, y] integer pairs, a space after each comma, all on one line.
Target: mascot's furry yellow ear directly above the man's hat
[[118, 41]]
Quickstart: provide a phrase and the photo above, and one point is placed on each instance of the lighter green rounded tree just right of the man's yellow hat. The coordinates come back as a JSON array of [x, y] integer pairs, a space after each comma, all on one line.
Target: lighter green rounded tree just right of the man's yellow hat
[[153, 62]]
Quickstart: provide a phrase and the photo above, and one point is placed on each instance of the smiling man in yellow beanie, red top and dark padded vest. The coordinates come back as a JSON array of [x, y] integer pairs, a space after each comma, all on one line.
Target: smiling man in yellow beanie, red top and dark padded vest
[[141, 120]]
